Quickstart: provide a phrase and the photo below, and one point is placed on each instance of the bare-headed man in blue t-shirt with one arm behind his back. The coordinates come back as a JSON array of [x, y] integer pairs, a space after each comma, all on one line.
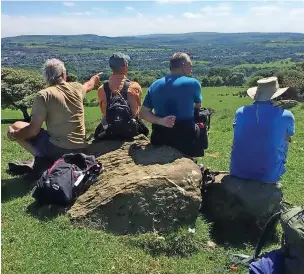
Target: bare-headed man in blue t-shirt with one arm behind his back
[[173, 99]]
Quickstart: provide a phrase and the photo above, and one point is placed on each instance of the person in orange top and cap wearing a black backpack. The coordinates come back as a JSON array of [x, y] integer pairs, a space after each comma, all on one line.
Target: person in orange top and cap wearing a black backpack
[[120, 102]]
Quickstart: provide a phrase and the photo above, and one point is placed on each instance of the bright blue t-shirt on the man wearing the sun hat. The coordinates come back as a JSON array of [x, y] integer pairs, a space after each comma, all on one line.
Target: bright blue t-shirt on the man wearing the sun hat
[[259, 147]]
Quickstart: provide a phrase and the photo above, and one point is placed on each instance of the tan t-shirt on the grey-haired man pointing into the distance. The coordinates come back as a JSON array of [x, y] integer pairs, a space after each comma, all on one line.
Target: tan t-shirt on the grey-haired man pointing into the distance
[[62, 107]]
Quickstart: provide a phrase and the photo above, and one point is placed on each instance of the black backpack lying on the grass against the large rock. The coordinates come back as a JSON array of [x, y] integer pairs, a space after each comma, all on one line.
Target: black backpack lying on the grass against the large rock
[[66, 179]]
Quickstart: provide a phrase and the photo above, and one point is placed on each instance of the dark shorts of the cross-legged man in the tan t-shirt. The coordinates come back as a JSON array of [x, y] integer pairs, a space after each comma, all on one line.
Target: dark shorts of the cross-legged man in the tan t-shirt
[[44, 148]]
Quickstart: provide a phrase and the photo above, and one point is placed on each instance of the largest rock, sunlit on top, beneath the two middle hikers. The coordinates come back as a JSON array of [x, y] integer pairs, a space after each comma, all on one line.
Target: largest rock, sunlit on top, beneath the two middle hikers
[[143, 188]]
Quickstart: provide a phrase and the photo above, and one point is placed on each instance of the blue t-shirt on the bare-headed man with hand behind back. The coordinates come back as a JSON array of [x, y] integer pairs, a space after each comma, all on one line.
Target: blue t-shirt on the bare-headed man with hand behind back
[[174, 95]]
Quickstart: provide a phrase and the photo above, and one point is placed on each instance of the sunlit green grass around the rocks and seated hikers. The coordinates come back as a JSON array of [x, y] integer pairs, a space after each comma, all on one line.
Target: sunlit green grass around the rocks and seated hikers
[[32, 244]]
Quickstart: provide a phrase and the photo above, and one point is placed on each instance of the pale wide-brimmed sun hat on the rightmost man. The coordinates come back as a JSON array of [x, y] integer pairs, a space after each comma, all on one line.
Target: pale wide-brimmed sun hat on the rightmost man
[[267, 89]]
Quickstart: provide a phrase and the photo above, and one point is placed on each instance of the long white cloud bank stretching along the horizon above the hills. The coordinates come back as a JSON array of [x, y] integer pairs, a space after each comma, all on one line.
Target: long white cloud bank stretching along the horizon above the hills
[[145, 24]]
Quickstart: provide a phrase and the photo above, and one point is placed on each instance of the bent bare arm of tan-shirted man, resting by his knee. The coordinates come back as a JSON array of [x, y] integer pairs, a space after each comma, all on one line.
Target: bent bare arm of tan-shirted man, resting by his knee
[[31, 130]]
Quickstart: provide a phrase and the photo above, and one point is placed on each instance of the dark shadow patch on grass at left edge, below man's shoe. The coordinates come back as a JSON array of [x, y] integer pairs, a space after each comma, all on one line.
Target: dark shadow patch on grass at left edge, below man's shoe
[[15, 188]]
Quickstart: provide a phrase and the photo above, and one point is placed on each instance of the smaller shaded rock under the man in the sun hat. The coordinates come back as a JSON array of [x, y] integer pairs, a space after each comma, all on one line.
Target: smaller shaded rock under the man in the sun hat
[[229, 198]]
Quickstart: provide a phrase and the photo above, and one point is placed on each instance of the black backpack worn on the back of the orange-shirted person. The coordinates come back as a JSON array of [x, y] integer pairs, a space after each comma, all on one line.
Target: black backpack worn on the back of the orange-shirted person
[[119, 115]]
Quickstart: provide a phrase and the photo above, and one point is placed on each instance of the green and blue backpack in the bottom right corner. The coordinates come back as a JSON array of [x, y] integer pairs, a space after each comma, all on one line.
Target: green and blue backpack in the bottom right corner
[[289, 259]]
